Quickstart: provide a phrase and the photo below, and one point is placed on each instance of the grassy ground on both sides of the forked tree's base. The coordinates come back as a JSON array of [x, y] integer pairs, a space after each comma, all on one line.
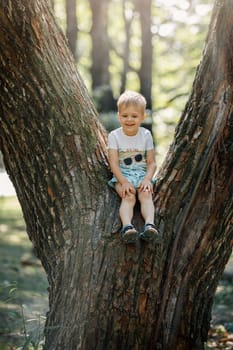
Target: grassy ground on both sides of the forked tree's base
[[24, 297]]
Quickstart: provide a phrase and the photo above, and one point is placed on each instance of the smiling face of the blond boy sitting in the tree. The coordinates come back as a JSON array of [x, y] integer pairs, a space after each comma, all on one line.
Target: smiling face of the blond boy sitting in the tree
[[130, 118]]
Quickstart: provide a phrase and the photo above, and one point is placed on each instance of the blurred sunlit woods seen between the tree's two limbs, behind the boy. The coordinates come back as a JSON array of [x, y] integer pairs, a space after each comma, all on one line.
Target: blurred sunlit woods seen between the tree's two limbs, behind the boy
[[151, 46]]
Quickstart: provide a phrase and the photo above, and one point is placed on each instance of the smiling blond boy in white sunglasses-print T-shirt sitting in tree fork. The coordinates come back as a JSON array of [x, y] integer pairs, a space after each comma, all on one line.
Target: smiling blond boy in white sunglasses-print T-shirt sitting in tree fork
[[132, 161]]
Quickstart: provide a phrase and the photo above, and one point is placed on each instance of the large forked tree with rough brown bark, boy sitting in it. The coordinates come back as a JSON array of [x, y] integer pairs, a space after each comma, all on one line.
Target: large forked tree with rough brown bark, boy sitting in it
[[103, 294]]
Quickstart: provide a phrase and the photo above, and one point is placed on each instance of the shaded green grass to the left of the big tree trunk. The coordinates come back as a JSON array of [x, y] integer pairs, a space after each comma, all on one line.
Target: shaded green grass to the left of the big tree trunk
[[23, 284]]
